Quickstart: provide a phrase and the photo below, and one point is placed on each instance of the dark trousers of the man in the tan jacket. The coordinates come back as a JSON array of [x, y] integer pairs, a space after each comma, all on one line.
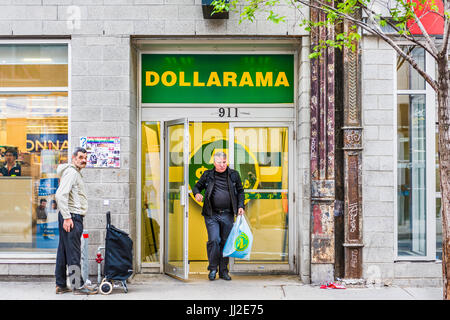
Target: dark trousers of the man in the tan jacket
[[69, 252]]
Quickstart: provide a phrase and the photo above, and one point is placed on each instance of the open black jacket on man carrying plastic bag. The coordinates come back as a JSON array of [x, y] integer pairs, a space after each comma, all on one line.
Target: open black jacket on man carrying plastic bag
[[235, 187]]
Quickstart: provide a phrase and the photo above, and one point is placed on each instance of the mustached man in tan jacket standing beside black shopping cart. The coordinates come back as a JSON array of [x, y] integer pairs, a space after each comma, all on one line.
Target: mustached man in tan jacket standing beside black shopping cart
[[72, 203]]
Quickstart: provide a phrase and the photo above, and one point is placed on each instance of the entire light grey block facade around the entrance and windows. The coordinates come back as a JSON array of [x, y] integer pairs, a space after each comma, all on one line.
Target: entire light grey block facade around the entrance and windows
[[103, 102]]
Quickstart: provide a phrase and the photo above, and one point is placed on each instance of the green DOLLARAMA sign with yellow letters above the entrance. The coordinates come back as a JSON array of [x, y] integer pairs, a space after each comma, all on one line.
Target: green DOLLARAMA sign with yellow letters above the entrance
[[217, 78]]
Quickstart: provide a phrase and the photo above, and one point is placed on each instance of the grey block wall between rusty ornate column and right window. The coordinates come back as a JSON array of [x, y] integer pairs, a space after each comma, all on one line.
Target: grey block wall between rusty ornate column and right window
[[380, 265]]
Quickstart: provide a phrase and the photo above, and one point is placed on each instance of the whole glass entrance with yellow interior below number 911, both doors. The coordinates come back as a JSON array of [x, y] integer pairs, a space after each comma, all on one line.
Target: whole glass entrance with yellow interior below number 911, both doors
[[263, 155]]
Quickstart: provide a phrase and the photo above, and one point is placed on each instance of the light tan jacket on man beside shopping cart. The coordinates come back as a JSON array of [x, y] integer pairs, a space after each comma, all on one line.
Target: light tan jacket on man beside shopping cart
[[71, 194]]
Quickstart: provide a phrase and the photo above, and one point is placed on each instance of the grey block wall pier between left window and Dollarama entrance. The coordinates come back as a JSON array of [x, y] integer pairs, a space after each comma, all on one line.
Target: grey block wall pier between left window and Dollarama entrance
[[101, 106]]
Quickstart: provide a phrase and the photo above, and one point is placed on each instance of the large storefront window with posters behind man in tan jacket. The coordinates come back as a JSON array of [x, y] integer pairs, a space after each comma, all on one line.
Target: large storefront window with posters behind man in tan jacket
[[33, 141]]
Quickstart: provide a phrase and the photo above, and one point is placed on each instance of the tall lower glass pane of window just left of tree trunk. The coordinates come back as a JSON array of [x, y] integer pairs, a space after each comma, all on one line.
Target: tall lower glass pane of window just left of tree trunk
[[411, 178]]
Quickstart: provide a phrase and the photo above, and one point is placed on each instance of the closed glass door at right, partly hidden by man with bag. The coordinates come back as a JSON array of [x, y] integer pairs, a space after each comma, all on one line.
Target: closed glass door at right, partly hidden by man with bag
[[262, 155]]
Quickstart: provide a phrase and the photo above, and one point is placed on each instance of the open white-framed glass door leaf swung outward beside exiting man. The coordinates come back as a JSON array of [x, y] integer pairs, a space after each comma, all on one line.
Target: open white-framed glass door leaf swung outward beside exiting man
[[176, 203]]
